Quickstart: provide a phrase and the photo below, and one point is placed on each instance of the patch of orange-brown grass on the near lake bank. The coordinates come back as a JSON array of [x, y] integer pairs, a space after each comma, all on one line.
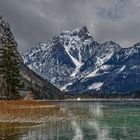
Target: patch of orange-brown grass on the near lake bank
[[27, 111]]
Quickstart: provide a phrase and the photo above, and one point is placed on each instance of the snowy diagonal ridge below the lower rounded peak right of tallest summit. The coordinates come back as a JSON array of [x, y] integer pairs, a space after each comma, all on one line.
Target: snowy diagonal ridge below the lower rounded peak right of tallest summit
[[104, 53]]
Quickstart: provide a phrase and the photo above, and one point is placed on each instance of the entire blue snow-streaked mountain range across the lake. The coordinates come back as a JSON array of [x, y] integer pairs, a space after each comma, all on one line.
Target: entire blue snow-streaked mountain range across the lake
[[74, 62]]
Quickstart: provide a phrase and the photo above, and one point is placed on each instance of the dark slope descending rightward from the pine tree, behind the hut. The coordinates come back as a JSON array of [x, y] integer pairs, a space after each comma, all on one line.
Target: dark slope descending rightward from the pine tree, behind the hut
[[41, 88]]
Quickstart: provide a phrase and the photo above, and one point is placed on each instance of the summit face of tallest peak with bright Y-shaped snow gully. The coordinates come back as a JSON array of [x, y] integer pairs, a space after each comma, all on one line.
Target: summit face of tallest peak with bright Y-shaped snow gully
[[79, 45]]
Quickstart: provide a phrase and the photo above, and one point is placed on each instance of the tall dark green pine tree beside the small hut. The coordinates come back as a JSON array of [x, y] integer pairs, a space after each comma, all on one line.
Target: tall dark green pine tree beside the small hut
[[9, 67]]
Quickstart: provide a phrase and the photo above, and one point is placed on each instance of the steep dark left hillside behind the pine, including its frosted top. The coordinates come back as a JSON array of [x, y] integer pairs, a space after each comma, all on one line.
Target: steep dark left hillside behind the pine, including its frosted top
[[30, 80]]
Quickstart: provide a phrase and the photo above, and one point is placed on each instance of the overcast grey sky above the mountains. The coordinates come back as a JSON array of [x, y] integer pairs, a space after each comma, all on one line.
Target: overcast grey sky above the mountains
[[33, 21]]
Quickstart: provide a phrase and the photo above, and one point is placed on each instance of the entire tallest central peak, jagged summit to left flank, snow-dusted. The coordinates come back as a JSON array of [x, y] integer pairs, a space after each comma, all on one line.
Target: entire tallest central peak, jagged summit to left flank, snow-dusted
[[61, 58]]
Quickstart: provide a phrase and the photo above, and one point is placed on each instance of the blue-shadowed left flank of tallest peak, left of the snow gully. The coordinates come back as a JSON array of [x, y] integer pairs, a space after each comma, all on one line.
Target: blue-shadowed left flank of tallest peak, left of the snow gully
[[51, 62]]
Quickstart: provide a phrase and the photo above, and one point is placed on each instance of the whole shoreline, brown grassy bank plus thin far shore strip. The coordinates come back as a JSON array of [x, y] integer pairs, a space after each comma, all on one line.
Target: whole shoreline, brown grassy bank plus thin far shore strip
[[42, 111]]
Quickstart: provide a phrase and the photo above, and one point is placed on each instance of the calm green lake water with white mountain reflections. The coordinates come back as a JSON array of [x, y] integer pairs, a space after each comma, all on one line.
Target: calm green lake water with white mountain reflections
[[82, 121]]
